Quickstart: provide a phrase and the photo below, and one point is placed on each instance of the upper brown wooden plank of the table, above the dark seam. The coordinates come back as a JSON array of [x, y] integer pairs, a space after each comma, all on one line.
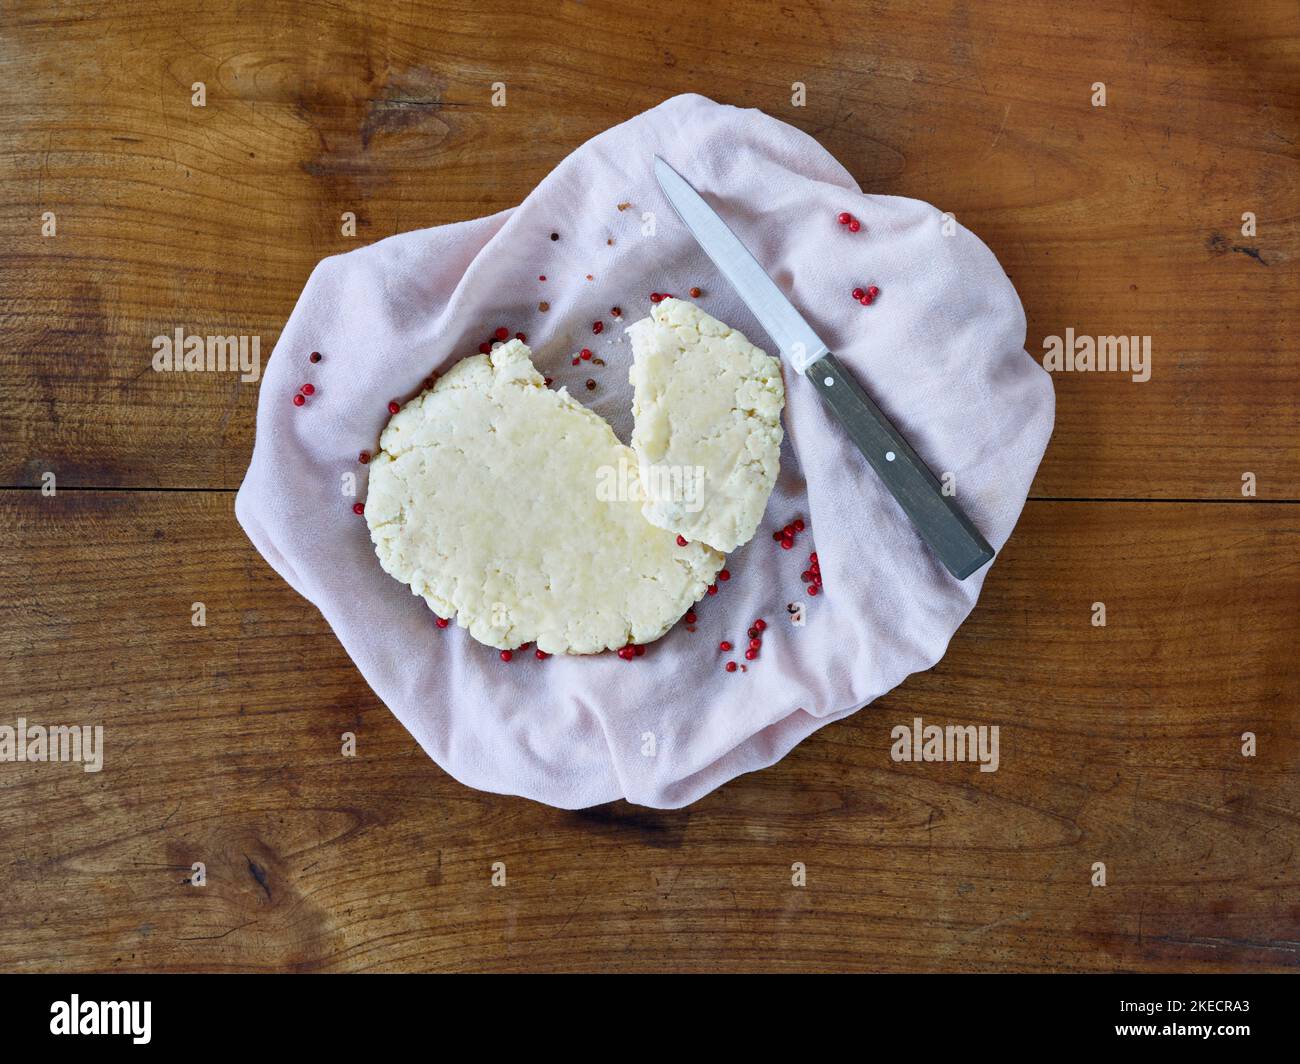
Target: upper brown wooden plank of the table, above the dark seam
[[1117, 220]]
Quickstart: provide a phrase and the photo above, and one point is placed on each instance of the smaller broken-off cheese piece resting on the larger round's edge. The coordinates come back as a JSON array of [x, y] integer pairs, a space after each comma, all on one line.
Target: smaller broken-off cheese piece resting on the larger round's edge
[[708, 406]]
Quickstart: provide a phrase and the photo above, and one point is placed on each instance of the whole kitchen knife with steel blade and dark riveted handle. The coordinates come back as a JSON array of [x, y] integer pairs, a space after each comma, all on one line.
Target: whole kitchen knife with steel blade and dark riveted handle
[[939, 521]]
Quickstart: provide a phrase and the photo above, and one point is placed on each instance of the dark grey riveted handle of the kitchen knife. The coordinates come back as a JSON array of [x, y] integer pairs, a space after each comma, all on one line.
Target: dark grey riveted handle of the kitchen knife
[[941, 522]]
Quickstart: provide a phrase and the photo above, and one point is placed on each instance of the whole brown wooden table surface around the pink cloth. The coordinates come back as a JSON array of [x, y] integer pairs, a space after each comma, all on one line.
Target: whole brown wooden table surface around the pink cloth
[[1121, 745]]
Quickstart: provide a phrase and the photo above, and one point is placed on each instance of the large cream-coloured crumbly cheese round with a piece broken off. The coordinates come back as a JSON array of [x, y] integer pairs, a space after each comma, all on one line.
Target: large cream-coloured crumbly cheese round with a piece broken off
[[517, 511]]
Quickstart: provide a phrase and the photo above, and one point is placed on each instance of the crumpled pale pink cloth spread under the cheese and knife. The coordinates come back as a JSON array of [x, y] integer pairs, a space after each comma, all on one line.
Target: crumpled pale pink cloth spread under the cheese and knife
[[942, 351]]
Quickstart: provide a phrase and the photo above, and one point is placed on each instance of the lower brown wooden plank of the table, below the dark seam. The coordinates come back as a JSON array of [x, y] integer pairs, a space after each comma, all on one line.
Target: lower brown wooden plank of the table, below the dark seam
[[223, 745]]
